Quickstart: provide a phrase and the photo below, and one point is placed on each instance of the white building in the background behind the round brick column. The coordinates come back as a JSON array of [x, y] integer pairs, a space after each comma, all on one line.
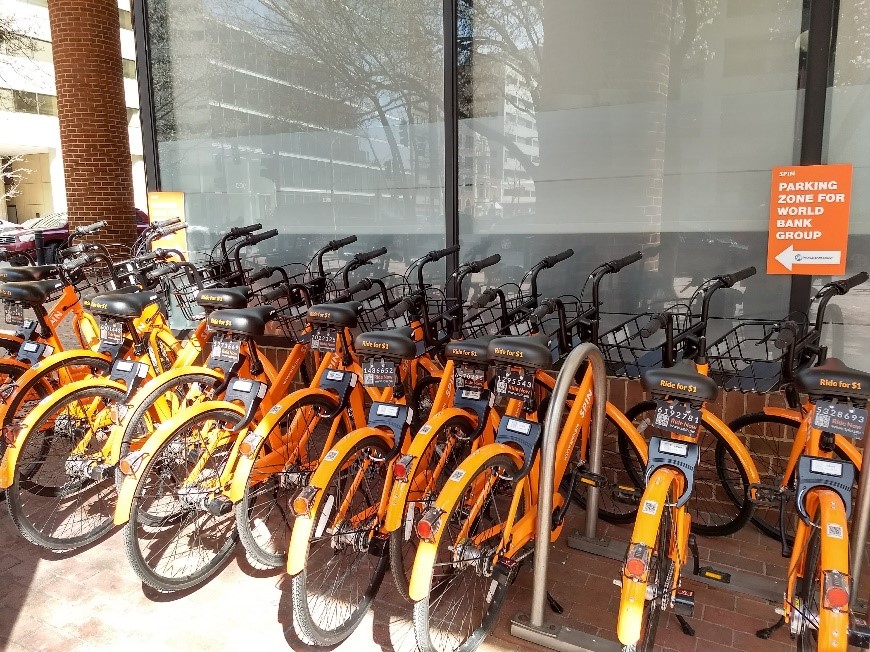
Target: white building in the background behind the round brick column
[[28, 113]]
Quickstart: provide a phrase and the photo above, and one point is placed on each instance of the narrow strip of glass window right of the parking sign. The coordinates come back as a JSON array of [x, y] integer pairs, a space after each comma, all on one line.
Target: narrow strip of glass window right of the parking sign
[[848, 332]]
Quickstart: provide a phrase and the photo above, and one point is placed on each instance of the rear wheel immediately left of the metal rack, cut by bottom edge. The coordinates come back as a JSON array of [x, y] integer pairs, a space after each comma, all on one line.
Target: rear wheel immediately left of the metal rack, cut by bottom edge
[[434, 630]]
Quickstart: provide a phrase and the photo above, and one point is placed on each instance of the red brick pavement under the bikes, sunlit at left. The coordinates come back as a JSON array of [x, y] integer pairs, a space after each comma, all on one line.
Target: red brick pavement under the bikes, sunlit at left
[[91, 600]]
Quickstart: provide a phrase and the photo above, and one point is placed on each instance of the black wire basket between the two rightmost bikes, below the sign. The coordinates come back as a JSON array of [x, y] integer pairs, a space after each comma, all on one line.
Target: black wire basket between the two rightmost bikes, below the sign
[[745, 359]]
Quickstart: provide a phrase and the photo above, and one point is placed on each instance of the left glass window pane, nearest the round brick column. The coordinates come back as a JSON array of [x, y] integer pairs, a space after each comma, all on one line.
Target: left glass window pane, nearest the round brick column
[[314, 119]]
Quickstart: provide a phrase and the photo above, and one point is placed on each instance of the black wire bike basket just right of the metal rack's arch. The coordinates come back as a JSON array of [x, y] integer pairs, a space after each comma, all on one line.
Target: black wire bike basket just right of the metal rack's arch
[[627, 353]]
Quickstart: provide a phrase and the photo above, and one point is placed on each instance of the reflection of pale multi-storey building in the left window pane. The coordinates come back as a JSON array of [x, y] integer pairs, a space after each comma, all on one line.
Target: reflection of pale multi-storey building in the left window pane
[[257, 129]]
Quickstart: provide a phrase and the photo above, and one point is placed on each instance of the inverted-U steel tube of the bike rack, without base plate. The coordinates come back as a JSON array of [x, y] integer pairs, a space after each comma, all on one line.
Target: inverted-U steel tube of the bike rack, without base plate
[[548, 463]]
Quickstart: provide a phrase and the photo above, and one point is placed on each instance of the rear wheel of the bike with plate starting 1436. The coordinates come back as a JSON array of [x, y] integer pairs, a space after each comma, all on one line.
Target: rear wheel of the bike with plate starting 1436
[[348, 603]]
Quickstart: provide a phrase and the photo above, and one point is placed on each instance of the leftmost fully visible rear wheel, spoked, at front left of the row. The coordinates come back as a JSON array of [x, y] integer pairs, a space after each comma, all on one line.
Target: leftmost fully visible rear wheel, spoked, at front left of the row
[[51, 501]]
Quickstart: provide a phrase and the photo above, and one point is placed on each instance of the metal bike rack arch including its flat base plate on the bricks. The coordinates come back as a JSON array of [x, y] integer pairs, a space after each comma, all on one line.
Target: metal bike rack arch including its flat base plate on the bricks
[[532, 627]]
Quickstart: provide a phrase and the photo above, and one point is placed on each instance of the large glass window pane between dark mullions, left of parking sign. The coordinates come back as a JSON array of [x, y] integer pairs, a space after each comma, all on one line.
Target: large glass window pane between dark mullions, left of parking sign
[[661, 141]]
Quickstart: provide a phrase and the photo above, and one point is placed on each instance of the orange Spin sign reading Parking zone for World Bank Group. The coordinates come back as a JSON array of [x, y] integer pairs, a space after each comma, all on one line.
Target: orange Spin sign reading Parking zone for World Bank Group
[[809, 219]]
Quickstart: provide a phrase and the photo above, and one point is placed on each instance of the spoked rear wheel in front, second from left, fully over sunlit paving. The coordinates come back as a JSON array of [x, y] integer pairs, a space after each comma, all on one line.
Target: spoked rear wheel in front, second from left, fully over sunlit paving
[[191, 528]]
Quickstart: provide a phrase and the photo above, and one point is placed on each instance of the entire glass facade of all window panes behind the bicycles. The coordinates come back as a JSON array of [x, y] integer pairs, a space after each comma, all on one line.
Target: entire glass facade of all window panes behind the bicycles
[[608, 127]]
